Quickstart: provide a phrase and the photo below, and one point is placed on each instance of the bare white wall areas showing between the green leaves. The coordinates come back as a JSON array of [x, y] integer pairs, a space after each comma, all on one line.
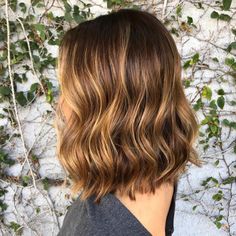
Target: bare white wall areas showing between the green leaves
[[209, 39]]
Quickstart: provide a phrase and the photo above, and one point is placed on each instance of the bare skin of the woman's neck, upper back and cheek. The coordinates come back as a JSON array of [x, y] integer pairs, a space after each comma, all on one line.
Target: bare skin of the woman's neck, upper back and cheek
[[150, 209]]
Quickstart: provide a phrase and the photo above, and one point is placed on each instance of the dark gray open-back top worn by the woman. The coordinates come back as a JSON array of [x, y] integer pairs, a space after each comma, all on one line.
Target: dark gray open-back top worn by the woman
[[108, 218]]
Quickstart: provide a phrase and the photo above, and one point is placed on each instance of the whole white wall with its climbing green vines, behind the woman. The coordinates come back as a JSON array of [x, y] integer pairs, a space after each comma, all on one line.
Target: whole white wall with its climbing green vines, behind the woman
[[33, 199]]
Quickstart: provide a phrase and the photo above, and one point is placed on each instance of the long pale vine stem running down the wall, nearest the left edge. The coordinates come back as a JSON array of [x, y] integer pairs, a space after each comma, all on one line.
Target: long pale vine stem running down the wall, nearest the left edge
[[13, 93]]
